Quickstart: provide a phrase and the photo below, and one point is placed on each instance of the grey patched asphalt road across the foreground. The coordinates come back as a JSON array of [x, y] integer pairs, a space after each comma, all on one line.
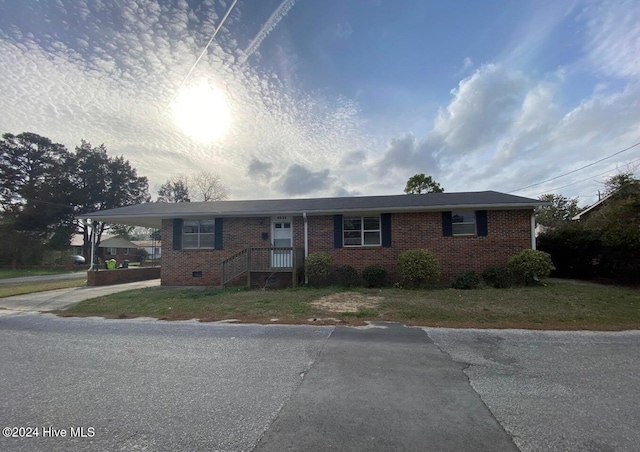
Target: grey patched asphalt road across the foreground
[[150, 385]]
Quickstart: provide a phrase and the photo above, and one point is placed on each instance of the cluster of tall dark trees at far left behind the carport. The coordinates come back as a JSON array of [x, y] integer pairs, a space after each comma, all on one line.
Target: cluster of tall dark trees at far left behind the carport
[[44, 188]]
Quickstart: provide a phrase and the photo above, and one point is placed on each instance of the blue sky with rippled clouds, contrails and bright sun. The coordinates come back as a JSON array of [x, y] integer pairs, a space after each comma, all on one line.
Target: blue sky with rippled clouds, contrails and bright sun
[[318, 98]]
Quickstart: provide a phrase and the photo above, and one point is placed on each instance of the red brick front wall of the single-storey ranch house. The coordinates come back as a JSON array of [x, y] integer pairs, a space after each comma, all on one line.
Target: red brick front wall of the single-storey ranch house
[[509, 231]]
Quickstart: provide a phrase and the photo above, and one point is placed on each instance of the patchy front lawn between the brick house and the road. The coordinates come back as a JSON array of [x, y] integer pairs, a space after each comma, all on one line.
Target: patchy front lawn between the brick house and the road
[[561, 304]]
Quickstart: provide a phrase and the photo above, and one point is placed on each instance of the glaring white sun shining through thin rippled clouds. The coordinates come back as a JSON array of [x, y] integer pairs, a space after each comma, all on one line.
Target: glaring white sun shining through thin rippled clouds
[[201, 111]]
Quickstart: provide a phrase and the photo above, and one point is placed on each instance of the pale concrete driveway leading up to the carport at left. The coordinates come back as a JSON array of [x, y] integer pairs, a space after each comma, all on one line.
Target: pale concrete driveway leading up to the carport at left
[[64, 298]]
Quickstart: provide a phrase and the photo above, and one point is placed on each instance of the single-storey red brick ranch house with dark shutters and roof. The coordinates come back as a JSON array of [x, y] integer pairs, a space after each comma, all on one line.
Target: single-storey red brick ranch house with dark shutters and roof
[[265, 241]]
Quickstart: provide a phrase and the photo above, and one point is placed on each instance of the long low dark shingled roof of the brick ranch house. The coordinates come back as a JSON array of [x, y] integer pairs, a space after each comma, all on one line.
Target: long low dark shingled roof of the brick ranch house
[[151, 214]]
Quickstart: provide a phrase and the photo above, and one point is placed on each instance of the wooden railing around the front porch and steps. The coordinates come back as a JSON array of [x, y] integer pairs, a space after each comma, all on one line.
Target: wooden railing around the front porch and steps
[[263, 260]]
